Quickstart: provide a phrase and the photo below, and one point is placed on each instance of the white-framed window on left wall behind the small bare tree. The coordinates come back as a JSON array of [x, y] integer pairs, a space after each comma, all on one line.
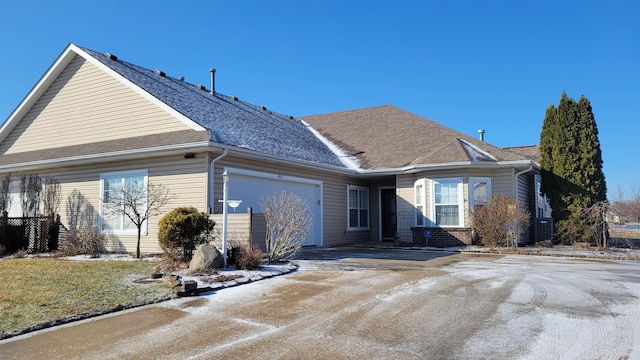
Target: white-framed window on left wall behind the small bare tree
[[112, 184]]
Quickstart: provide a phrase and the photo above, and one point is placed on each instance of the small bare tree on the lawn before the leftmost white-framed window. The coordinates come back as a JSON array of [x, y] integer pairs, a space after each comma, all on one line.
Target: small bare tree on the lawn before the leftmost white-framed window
[[138, 202]]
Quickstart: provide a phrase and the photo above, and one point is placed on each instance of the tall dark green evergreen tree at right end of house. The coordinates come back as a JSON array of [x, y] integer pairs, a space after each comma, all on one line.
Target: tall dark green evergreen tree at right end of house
[[571, 161]]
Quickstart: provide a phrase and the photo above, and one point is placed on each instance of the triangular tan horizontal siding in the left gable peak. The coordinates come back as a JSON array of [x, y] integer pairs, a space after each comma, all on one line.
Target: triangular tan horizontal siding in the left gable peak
[[85, 105]]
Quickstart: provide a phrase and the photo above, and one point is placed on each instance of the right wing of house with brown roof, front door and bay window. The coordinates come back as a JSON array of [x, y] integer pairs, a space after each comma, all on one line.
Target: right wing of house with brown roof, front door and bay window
[[424, 178]]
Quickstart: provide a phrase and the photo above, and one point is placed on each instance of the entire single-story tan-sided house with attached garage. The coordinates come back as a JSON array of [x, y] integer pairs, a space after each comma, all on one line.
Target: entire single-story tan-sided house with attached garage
[[94, 120]]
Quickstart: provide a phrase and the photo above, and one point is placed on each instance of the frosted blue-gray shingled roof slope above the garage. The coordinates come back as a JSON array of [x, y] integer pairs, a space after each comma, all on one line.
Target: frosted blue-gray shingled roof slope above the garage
[[229, 121]]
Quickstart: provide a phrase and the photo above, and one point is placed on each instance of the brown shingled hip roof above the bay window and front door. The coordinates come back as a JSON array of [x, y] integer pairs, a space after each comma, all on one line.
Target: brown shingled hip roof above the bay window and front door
[[385, 137]]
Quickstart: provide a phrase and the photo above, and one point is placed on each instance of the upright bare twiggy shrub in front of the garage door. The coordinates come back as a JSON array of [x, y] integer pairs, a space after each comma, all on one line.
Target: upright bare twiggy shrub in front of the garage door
[[288, 221]]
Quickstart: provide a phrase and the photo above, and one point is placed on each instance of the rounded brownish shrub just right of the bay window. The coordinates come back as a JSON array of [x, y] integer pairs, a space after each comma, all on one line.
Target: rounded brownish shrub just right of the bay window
[[500, 221]]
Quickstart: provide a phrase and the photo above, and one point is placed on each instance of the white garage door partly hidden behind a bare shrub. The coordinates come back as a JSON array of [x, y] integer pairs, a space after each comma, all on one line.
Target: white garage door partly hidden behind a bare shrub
[[251, 187]]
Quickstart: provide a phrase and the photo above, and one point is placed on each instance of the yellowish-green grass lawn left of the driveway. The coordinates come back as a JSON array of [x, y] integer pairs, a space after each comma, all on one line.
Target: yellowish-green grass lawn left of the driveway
[[36, 291]]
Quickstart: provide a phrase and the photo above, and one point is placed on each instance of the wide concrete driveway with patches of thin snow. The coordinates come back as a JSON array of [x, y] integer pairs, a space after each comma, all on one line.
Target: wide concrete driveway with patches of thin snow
[[355, 303]]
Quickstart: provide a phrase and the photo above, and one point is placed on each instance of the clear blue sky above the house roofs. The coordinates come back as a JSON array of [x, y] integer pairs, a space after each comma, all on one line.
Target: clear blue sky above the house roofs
[[494, 65]]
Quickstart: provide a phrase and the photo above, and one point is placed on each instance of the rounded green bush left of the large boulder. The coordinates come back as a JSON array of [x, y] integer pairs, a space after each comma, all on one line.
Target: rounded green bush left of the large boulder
[[180, 230]]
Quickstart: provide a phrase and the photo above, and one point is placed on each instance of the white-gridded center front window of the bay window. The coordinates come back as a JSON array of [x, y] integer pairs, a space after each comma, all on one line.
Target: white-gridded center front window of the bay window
[[448, 202]]
